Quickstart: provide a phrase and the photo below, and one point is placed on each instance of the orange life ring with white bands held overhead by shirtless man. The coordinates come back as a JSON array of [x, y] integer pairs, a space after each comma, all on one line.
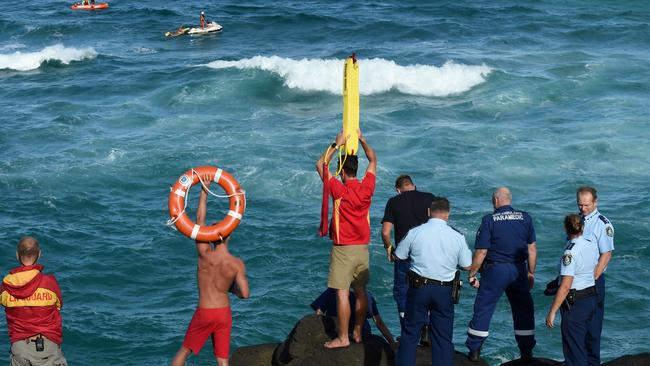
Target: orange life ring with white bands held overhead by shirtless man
[[219, 230]]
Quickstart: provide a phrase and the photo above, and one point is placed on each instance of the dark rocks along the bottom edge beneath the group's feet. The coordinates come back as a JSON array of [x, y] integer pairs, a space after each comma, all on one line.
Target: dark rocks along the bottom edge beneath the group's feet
[[304, 347]]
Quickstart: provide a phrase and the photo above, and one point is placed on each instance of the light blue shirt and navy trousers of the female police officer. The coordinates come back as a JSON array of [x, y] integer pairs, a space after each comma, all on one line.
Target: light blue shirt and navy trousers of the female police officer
[[579, 261]]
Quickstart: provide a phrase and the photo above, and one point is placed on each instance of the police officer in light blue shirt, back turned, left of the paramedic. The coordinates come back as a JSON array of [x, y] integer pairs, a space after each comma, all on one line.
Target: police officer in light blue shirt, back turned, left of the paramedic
[[435, 250]]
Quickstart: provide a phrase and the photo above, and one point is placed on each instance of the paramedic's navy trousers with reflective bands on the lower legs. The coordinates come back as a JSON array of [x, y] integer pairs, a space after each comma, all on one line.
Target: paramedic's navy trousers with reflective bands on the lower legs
[[497, 278]]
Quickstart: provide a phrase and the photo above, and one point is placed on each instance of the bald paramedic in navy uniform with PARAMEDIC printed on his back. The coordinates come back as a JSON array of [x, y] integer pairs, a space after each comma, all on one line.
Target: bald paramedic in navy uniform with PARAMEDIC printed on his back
[[506, 256]]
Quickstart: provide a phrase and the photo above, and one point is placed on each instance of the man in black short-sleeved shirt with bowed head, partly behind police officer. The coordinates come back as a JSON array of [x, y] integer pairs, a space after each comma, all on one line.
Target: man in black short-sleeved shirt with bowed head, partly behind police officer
[[408, 209]]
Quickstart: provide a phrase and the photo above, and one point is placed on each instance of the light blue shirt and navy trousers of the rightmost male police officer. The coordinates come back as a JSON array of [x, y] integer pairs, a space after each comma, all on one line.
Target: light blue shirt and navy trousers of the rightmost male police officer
[[600, 231]]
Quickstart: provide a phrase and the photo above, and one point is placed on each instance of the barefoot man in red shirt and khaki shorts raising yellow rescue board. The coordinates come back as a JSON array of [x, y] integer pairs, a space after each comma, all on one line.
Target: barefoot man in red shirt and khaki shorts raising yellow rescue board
[[350, 232]]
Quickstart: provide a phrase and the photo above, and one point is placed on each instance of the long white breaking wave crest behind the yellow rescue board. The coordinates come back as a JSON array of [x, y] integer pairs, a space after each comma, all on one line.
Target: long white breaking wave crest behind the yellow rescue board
[[376, 75]]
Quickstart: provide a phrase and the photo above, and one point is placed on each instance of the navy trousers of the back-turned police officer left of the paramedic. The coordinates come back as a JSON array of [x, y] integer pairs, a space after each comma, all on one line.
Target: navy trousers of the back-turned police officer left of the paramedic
[[435, 300]]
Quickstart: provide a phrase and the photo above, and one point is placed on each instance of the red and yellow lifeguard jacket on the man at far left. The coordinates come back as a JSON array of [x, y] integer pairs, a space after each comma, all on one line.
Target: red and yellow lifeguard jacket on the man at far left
[[32, 302]]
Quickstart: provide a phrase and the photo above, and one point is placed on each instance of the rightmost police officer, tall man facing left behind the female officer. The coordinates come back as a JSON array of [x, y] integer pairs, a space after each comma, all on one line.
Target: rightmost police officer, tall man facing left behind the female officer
[[601, 232]]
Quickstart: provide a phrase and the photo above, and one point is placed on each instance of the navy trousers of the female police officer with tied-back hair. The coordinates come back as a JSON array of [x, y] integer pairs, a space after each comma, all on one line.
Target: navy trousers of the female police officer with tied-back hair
[[576, 323]]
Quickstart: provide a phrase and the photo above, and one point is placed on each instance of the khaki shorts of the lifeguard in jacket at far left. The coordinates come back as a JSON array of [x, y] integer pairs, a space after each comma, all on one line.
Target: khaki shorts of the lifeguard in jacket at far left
[[25, 354]]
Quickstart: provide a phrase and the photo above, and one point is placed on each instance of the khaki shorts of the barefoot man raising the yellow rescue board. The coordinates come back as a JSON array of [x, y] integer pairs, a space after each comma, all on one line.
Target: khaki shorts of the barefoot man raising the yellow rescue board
[[348, 267]]
